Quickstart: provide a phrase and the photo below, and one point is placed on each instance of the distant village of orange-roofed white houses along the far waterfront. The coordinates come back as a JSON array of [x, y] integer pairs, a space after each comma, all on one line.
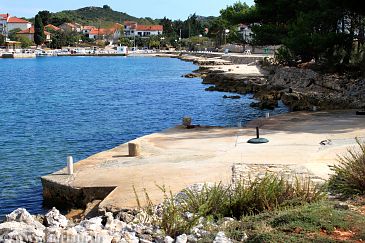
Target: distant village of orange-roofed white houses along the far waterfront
[[19, 40]]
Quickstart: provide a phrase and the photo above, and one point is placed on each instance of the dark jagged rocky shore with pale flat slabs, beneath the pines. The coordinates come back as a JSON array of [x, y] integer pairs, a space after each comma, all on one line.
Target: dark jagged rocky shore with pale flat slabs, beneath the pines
[[301, 89]]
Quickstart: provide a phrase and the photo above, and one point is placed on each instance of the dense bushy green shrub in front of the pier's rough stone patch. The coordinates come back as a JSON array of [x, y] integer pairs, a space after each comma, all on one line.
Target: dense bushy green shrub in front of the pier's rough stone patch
[[252, 197]]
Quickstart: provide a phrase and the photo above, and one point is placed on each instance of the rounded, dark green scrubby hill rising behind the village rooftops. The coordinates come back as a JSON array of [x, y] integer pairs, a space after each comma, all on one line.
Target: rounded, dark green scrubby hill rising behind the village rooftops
[[97, 16]]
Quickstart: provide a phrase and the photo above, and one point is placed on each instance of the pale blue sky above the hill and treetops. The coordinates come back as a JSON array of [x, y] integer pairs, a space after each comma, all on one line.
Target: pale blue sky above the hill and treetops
[[175, 9]]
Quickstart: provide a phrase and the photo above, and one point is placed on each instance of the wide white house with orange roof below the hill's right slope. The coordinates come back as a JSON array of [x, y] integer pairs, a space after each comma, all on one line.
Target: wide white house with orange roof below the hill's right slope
[[132, 29]]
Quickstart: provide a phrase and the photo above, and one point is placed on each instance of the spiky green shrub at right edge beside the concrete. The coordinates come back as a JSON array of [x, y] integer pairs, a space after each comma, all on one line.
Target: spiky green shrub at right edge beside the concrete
[[349, 175]]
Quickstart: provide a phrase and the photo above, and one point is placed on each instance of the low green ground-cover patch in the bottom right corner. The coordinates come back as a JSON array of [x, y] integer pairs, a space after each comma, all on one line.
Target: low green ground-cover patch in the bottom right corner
[[312, 222]]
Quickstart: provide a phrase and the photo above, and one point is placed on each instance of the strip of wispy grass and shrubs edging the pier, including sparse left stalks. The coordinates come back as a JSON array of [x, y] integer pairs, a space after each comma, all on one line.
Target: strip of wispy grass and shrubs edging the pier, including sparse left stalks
[[245, 198]]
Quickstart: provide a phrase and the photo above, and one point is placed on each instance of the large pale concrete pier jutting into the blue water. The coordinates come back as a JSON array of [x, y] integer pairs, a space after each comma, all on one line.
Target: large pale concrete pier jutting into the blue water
[[179, 157]]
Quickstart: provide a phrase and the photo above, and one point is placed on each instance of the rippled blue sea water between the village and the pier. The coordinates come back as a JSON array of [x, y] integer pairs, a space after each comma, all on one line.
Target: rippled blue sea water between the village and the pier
[[53, 107]]
